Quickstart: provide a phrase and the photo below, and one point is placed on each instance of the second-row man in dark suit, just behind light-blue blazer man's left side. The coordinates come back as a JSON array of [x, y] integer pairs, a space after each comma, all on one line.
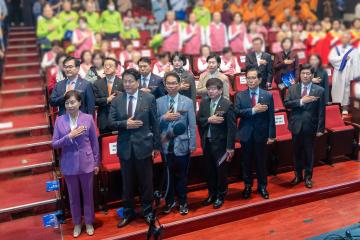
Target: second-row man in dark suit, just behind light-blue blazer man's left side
[[150, 82]]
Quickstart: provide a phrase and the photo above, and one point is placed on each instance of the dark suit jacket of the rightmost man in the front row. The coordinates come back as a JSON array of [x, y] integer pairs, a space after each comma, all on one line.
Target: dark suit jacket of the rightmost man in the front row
[[309, 118]]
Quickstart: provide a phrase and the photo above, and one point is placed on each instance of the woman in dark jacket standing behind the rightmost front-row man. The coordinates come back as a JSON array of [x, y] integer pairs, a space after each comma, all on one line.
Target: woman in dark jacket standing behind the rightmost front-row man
[[320, 75]]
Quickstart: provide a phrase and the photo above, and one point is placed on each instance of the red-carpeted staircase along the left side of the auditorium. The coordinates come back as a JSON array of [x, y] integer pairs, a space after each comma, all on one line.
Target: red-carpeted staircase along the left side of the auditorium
[[26, 157]]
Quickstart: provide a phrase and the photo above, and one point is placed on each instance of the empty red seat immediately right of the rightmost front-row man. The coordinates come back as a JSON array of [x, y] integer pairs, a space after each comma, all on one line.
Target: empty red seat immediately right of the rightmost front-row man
[[343, 136]]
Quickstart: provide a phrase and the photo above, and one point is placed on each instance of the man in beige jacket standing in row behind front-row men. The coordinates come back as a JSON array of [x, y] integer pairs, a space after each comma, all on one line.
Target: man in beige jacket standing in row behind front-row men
[[213, 62]]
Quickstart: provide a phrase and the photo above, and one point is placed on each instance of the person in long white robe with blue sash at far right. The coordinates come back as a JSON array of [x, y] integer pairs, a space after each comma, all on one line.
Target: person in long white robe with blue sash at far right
[[346, 61]]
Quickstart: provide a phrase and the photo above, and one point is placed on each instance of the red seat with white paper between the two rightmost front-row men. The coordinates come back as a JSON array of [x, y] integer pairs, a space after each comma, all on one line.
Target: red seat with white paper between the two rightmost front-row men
[[283, 160]]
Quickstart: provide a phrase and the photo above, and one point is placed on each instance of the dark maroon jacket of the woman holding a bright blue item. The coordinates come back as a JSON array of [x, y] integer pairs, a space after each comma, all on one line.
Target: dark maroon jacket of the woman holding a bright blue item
[[281, 68]]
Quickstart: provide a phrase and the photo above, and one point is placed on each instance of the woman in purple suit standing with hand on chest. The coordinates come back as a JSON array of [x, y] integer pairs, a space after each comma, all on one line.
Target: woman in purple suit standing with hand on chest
[[75, 134]]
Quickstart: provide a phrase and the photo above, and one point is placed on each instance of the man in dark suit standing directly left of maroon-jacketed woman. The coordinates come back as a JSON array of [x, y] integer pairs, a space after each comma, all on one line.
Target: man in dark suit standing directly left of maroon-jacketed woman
[[261, 61]]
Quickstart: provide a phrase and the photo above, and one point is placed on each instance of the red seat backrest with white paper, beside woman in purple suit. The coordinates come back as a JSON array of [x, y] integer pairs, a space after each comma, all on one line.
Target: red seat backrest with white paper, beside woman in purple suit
[[109, 149]]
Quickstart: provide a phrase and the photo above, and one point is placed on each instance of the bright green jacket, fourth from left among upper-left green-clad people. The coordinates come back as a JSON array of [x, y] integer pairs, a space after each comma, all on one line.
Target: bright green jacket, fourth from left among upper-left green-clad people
[[111, 22]]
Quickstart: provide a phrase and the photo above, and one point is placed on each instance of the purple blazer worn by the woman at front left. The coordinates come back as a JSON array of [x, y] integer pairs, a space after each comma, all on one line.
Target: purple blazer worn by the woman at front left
[[81, 154]]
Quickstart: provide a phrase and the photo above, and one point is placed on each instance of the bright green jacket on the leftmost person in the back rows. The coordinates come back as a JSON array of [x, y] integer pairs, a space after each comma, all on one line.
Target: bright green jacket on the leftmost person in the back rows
[[43, 25]]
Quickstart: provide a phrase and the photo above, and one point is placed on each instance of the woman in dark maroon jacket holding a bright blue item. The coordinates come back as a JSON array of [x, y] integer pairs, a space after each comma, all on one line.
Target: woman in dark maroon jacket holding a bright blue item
[[286, 66]]
